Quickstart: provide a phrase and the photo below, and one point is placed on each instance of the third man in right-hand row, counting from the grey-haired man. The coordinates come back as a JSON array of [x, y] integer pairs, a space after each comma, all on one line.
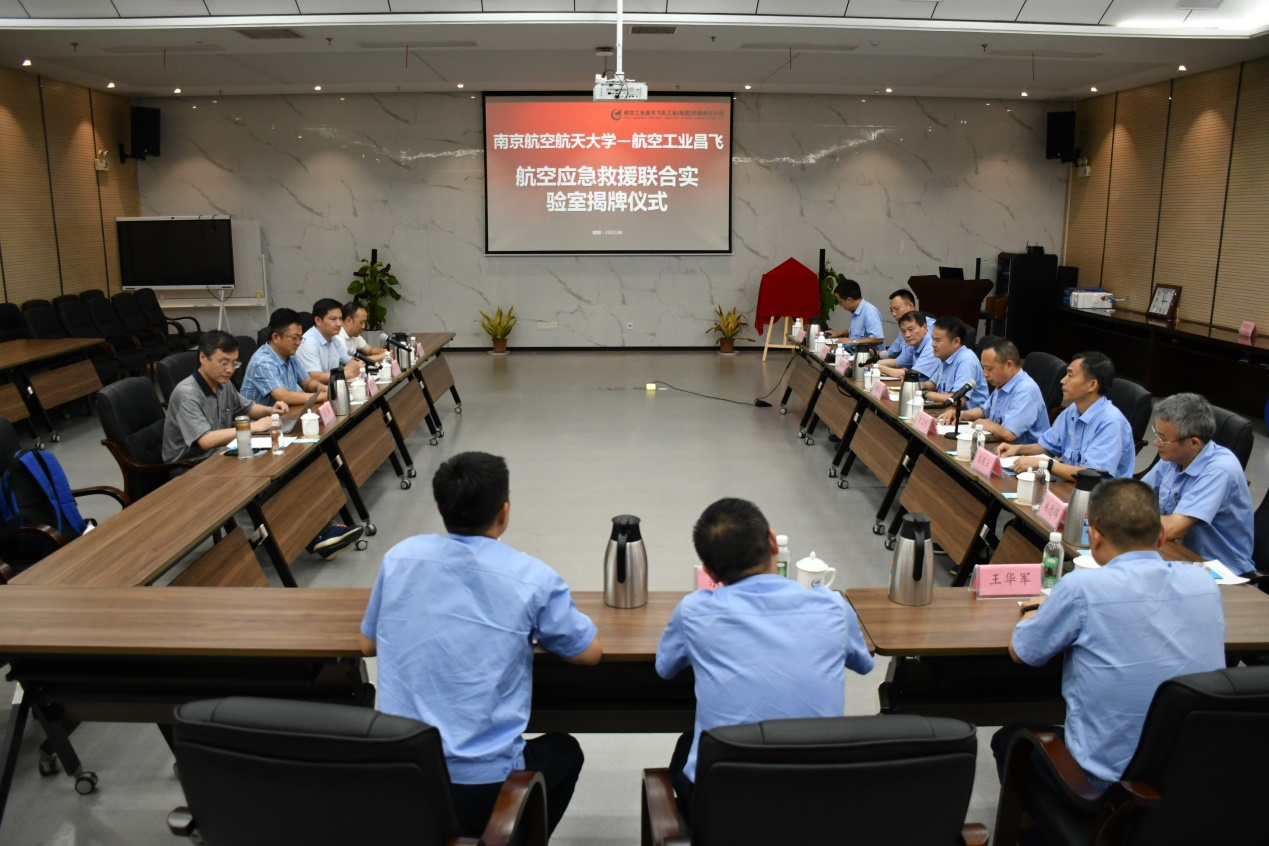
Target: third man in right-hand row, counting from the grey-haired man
[[1016, 412]]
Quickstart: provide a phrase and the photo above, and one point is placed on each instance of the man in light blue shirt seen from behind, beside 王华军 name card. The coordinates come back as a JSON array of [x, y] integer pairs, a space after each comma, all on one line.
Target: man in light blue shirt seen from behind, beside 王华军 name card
[[1122, 631]]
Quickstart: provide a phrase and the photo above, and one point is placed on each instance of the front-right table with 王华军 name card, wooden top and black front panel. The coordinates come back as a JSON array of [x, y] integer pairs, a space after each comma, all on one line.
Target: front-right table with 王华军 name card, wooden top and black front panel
[[951, 658]]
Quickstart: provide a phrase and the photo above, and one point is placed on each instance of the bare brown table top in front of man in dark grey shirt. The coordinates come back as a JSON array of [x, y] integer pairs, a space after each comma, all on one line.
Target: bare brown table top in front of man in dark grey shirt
[[139, 543]]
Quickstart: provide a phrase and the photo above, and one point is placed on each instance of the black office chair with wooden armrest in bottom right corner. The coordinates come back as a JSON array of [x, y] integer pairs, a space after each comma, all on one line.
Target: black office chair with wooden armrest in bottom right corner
[[1171, 792]]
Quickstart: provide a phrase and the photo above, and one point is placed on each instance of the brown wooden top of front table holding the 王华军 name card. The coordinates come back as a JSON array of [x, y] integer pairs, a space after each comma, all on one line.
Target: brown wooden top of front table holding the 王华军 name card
[[960, 625]]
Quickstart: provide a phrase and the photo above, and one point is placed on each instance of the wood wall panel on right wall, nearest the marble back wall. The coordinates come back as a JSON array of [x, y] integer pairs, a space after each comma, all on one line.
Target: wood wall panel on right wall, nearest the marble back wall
[[1087, 211]]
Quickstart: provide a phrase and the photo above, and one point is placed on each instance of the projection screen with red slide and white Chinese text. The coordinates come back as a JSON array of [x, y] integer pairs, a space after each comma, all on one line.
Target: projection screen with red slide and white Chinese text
[[573, 176]]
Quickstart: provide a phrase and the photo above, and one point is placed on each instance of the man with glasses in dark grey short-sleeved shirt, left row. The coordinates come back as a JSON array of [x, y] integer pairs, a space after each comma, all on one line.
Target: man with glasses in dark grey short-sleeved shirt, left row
[[204, 405]]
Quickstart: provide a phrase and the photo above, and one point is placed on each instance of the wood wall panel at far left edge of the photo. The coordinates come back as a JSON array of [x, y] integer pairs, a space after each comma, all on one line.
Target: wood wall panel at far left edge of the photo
[[29, 245]]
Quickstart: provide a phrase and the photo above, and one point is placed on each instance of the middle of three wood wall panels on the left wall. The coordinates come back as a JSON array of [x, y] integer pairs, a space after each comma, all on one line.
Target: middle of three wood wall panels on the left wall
[[77, 209]]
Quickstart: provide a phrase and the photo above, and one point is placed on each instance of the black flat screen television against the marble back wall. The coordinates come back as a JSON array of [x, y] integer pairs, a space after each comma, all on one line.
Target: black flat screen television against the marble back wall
[[169, 253]]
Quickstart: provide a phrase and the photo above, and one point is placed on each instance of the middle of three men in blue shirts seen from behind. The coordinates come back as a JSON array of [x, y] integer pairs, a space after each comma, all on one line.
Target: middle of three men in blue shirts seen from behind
[[762, 646]]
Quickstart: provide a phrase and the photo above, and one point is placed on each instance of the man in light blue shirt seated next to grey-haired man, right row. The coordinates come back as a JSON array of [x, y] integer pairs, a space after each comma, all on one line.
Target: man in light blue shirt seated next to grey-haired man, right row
[[1091, 433]]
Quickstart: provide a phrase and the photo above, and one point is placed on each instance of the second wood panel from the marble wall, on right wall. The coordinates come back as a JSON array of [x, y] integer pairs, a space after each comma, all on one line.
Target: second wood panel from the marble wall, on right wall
[[1136, 186]]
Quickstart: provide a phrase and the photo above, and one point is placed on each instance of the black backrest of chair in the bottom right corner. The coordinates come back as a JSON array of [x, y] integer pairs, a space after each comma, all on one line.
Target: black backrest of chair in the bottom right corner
[[1190, 717]]
